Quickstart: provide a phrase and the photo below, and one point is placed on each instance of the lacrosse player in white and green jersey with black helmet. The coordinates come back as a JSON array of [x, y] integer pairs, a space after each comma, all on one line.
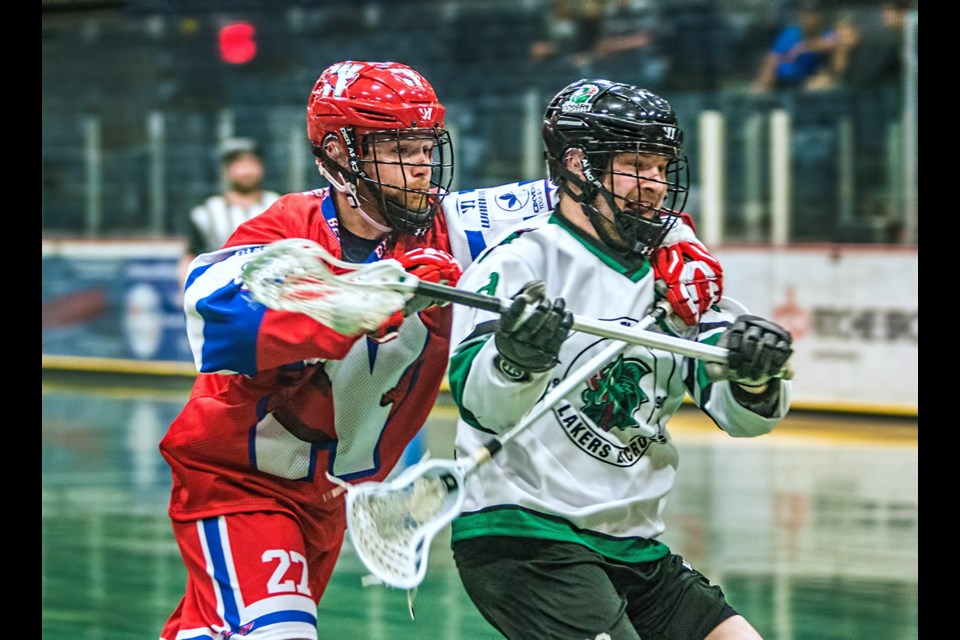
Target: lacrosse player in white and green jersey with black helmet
[[559, 536]]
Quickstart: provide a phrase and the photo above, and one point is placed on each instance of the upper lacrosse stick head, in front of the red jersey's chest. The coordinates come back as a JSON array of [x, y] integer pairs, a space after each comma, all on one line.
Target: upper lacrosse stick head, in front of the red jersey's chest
[[300, 275]]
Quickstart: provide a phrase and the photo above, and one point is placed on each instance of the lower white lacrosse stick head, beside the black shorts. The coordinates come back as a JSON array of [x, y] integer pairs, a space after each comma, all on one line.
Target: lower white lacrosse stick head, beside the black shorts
[[392, 524]]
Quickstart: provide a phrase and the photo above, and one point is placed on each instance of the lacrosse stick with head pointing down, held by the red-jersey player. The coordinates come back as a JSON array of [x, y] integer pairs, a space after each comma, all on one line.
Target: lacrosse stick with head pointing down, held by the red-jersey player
[[391, 524]]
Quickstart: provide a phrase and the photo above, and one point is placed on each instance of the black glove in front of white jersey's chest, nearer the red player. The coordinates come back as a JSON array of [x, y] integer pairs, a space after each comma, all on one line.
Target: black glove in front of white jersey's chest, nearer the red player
[[531, 332]]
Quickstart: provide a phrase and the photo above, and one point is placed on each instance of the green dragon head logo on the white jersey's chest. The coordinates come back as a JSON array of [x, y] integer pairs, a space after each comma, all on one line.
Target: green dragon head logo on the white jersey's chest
[[614, 394]]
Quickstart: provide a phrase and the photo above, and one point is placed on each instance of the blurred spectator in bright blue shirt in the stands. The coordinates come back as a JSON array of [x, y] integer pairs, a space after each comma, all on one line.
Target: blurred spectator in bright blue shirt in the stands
[[799, 52]]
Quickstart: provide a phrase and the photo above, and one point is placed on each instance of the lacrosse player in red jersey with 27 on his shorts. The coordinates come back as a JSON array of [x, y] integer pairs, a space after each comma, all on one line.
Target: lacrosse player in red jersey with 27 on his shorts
[[283, 402]]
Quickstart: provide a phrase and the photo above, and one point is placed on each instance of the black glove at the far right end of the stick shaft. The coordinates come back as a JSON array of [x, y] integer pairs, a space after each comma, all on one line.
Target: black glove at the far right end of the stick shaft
[[757, 350]]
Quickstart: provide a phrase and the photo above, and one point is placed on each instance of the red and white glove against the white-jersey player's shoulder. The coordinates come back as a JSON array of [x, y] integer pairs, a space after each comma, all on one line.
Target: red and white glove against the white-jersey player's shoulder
[[693, 277]]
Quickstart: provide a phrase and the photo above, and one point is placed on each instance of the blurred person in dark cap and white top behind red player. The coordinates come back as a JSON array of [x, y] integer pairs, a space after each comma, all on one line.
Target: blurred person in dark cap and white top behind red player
[[213, 220]]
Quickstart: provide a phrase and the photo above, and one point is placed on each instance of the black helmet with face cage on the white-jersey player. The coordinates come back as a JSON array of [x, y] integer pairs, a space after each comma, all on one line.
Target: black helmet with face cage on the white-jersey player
[[602, 119]]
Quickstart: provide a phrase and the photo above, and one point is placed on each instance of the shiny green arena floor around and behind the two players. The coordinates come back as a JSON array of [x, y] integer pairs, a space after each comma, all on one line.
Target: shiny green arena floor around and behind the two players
[[810, 538]]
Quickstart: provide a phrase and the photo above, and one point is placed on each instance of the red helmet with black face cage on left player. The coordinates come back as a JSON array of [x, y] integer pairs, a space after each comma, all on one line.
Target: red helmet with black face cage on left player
[[352, 100]]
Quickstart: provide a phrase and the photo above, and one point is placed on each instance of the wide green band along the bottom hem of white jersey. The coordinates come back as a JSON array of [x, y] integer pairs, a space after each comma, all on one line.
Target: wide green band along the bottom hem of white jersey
[[513, 521]]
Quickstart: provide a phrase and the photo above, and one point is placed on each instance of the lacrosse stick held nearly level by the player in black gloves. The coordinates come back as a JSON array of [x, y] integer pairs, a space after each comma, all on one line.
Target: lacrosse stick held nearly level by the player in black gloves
[[300, 275]]
